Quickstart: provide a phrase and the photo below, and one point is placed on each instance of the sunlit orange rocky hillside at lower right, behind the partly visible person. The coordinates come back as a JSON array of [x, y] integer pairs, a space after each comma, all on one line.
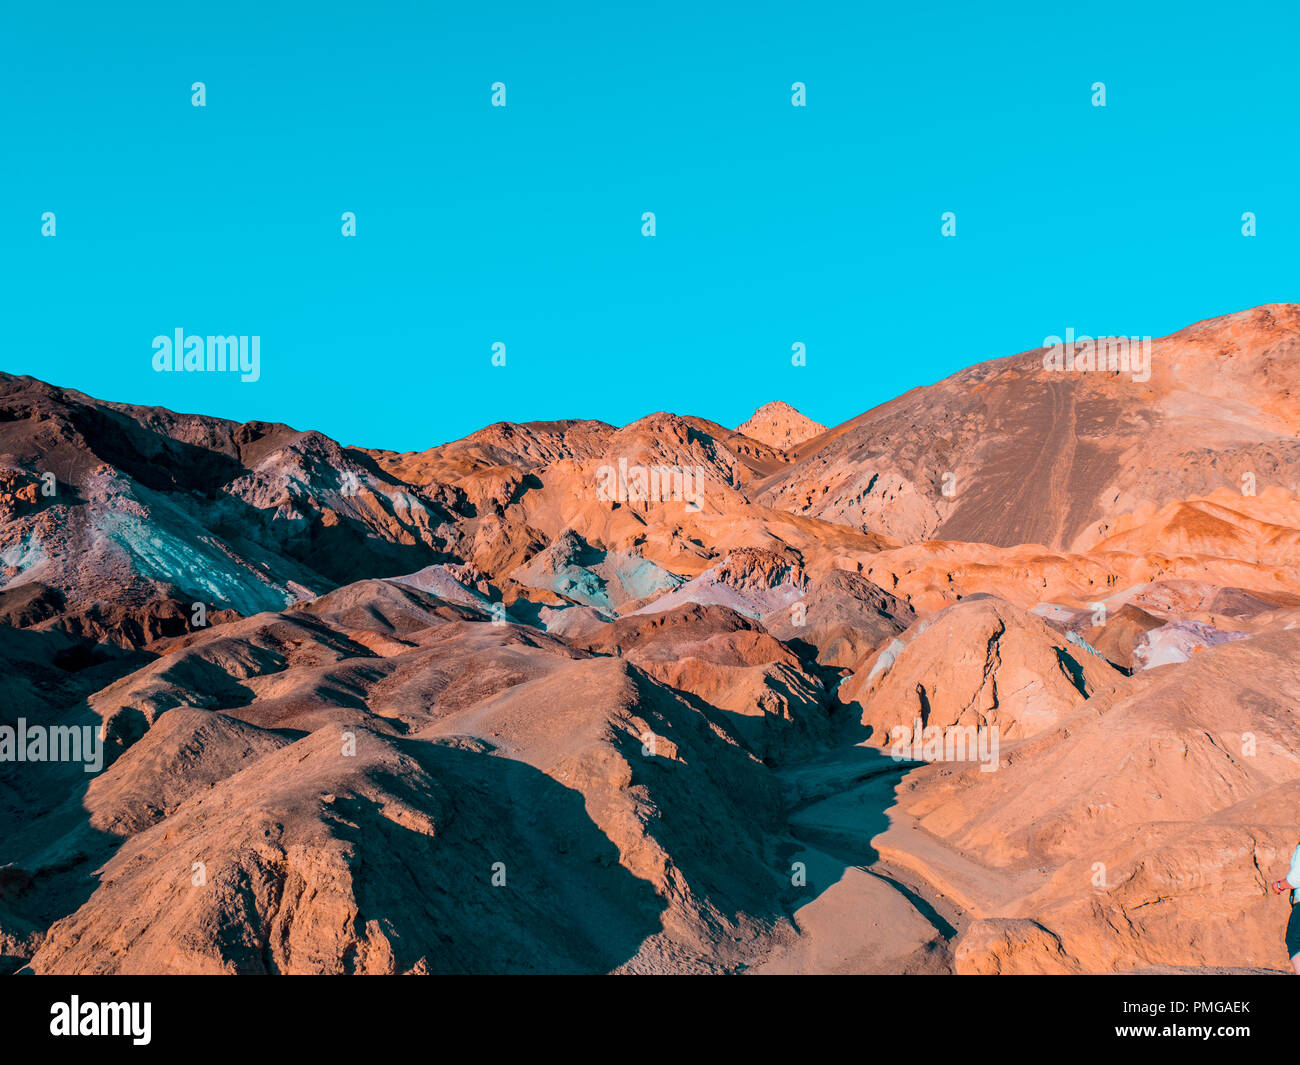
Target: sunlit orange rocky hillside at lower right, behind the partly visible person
[[1141, 832]]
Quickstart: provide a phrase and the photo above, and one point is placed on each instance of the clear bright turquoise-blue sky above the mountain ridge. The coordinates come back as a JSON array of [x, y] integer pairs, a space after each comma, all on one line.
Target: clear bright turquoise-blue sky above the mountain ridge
[[523, 224]]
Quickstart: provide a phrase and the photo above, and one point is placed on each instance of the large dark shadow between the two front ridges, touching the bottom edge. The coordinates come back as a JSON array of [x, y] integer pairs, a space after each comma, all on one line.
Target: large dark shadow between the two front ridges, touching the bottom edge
[[565, 906]]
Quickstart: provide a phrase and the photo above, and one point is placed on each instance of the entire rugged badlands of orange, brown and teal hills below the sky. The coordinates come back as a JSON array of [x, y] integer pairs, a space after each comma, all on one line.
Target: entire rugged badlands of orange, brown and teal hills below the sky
[[488, 708]]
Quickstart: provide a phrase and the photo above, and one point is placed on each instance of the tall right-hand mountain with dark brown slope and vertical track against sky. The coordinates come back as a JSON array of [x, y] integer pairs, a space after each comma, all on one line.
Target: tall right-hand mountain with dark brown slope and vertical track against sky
[[1035, 456]]
